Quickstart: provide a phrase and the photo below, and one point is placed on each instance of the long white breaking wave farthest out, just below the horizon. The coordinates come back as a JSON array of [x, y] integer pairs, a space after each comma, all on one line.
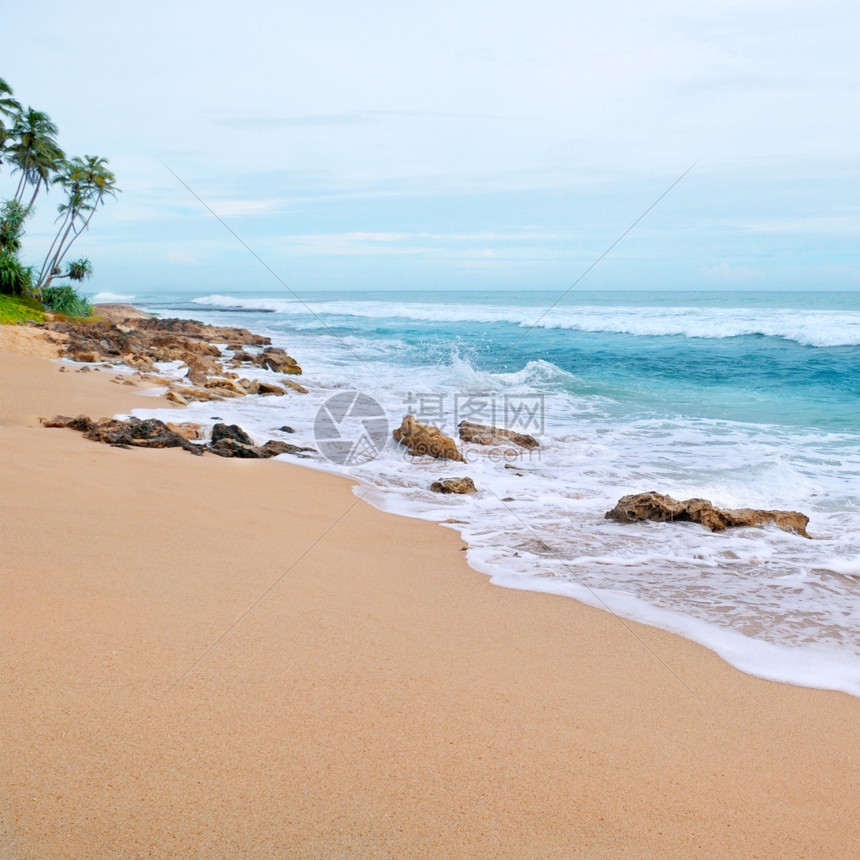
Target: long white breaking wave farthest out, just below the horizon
[[816, 328]]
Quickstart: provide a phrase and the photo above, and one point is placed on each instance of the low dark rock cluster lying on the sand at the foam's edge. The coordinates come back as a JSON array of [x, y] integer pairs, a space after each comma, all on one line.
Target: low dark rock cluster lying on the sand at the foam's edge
[[228, 440]]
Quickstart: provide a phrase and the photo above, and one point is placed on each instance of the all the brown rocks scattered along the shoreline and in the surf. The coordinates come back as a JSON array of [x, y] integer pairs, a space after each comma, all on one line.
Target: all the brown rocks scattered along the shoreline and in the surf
[[214, 357]]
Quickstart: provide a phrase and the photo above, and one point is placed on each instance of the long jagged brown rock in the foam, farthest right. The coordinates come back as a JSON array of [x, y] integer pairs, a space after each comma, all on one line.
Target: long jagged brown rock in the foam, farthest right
[[655, 506]]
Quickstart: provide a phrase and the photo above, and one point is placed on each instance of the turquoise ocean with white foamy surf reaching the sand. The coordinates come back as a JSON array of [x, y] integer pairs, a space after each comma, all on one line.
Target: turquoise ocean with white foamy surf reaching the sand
[[745, 399]]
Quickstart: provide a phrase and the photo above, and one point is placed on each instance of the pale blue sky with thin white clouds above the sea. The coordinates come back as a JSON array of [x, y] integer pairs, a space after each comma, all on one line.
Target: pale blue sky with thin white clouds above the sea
[[466, 145]]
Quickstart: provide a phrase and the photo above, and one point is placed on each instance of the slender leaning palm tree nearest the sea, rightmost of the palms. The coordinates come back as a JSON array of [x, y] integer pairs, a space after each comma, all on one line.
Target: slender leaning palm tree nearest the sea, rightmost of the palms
[[87, 181]]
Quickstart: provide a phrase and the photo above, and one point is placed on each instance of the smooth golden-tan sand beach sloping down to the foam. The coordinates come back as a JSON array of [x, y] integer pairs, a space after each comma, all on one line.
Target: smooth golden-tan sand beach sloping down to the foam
[[237, 659]]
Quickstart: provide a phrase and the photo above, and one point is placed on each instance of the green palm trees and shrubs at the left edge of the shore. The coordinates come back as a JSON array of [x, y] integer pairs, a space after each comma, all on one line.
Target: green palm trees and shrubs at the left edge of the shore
[[28, 144]]
